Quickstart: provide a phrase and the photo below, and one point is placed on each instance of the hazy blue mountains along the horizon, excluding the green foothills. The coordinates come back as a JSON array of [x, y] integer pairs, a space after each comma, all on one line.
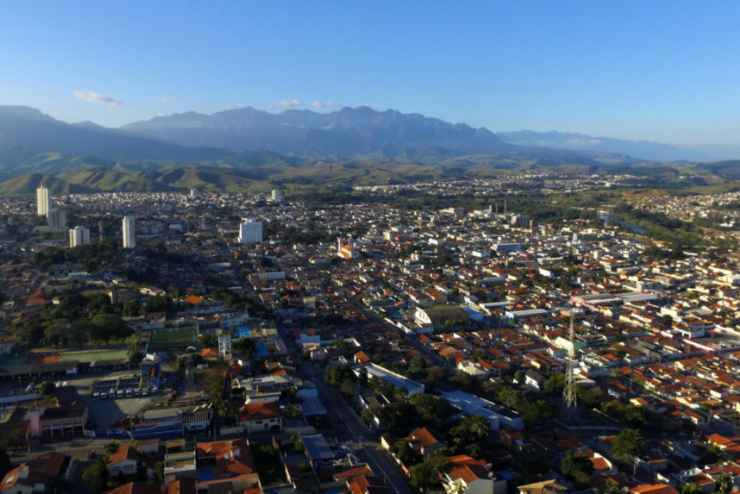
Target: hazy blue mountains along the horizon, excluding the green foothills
[[344, 134]]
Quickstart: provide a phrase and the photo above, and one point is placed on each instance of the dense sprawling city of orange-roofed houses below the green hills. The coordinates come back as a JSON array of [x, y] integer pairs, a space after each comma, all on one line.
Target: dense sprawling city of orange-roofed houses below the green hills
[[532, 333]]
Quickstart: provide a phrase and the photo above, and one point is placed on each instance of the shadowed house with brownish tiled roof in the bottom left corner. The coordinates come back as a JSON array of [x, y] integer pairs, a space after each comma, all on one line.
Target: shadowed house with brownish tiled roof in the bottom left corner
[[35, 476]]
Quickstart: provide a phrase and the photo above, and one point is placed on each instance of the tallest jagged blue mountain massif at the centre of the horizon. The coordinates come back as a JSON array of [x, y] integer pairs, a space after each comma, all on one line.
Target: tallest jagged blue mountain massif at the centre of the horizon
[[349, 132]]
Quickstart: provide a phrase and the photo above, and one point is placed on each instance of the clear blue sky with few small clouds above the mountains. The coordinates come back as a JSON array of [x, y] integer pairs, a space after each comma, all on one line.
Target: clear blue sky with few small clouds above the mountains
[[657, 70]]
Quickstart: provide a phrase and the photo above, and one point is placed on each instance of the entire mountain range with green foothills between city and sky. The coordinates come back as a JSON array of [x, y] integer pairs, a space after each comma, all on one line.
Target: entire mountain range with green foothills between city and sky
[[249, 149]]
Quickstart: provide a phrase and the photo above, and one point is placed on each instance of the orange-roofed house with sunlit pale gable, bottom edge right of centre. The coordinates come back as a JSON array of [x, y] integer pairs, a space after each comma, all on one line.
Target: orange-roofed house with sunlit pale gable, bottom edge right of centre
[[464, 474]]
